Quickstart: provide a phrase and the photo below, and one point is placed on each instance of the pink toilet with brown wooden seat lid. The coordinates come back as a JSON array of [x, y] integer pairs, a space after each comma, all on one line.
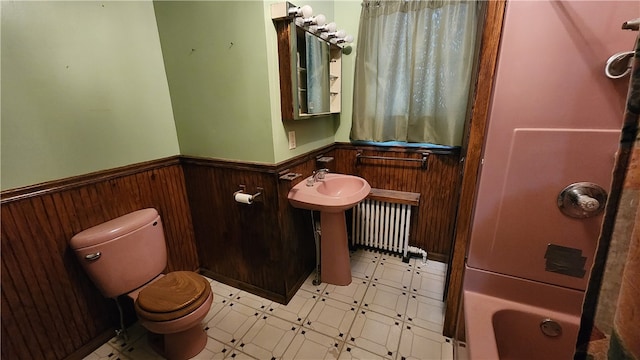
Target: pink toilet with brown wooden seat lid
[[127, 255]]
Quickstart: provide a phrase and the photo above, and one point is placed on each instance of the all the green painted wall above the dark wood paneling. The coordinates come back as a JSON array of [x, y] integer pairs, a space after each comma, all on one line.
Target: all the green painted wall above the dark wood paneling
[[85, 89]]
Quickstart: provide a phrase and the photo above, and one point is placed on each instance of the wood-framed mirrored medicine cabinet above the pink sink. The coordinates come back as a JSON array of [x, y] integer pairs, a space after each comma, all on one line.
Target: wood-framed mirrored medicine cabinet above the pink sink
[[310, 71]]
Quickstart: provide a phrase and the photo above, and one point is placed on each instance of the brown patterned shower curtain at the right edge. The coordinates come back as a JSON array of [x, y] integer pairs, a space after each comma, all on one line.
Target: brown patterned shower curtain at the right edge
[[624, 340]]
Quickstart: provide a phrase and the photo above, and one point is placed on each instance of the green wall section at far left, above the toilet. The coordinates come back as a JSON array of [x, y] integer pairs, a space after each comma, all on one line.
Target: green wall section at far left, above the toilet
[[83, 89]]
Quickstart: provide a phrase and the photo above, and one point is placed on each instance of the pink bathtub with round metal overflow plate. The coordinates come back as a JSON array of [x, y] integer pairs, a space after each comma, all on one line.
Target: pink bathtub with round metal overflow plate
[[507, 317]]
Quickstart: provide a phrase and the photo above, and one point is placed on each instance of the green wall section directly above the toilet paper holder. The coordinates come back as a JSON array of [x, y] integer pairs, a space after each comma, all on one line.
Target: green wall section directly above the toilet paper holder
[[216, 61]]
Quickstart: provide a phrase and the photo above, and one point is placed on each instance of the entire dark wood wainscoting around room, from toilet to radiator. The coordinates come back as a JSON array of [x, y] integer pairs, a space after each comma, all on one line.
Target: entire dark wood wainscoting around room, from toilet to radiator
[[51, 310]]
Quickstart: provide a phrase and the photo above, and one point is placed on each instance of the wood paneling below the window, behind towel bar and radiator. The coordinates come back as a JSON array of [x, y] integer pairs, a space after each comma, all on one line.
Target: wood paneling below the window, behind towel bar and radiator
[[432, 225]]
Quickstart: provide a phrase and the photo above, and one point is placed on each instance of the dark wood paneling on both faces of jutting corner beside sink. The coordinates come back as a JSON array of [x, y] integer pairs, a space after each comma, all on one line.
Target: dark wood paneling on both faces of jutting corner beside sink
[[262, 247]]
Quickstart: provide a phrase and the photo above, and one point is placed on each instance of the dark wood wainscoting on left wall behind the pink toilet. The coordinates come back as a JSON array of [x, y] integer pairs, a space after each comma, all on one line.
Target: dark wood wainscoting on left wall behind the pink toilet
[[50, 308]]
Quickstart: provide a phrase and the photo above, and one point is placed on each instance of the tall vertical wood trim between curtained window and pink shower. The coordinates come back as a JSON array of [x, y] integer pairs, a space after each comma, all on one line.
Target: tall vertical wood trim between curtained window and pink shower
[[480, 113]]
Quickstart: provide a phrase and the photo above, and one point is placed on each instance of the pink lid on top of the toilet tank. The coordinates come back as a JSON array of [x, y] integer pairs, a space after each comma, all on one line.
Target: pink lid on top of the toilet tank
[[113, 228]]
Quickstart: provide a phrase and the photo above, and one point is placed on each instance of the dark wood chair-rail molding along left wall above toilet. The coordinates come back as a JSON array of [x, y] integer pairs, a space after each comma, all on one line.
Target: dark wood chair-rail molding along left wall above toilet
[[54, 186]]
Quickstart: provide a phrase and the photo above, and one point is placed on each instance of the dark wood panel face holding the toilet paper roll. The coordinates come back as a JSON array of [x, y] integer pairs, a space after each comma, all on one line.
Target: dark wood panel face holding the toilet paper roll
[[238, 242]]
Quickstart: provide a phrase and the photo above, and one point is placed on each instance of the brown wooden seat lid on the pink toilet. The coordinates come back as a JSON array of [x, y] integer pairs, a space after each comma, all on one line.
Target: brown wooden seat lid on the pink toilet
[[174, 295]]
